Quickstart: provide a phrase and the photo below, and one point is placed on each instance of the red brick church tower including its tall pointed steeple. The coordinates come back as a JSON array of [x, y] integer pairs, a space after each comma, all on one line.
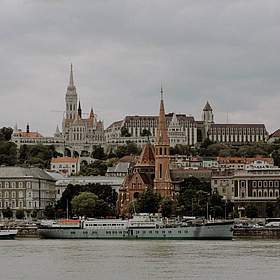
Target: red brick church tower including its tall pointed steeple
[[162, 182]]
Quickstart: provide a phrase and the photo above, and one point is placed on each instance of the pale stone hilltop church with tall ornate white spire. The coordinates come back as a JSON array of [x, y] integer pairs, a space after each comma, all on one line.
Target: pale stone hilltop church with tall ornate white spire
[[78, 132]]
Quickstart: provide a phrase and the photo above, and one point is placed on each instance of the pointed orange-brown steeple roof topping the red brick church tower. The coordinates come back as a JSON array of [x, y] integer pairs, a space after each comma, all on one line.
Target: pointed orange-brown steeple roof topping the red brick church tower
[[162, 135]]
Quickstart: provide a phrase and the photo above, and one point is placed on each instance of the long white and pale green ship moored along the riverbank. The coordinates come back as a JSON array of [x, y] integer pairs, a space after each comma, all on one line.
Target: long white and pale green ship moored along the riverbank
[[141, 226]]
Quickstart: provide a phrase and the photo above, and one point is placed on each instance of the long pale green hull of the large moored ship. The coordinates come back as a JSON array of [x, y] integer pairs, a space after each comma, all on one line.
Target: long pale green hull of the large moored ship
[[218, 231]]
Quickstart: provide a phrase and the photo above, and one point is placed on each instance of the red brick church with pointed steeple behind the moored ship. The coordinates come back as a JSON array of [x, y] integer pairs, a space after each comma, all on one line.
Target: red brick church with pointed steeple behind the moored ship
[[151, 169]]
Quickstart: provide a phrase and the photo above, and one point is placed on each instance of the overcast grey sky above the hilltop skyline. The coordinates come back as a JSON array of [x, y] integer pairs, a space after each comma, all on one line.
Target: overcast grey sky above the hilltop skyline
[[223, 51]]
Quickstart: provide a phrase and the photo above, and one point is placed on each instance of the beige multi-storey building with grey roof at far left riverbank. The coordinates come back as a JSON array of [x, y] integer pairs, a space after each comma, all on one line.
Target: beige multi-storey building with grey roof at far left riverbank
[[25, 188]]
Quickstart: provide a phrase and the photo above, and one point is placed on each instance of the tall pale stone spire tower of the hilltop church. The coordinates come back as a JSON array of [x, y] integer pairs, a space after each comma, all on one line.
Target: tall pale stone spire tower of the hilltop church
[[71, 98]]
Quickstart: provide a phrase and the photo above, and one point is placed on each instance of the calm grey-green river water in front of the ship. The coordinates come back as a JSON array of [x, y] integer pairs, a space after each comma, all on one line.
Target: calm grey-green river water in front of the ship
[[28, 259]]
